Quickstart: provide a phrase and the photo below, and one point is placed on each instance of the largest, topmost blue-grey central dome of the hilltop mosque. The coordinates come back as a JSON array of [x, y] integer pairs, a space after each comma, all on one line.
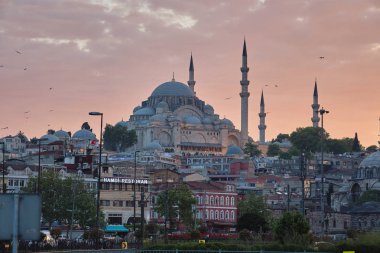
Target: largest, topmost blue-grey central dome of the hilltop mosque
[[173, 89]]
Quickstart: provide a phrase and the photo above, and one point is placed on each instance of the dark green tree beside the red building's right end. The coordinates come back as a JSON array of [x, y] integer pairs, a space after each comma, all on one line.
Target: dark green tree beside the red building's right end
[[253, 214]]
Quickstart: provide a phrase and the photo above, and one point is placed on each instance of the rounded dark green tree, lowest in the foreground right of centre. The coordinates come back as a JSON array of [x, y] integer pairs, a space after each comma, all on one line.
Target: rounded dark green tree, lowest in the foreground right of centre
[[291, 228]]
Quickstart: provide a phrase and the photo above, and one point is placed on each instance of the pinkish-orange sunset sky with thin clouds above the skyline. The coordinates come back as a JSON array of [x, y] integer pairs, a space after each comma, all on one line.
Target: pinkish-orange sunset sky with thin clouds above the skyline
[[59, 60]]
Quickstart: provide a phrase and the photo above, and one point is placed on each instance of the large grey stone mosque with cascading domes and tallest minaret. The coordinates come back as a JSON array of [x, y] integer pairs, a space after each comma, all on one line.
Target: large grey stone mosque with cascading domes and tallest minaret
[[174, 117]]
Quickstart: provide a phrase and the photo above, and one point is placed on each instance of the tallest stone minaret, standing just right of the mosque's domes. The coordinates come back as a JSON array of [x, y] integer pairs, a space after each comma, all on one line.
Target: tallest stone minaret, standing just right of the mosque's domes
[[244, 94]]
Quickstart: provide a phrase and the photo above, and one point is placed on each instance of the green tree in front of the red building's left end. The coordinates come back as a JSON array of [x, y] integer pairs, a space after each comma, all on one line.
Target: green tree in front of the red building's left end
[[176, 202]]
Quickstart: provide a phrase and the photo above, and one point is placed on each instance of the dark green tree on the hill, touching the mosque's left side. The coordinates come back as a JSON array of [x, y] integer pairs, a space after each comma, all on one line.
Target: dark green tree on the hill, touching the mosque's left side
[[118, 138]]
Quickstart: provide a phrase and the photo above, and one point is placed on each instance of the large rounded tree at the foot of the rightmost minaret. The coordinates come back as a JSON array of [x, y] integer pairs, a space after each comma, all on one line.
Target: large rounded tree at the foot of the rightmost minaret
[[308, 139]]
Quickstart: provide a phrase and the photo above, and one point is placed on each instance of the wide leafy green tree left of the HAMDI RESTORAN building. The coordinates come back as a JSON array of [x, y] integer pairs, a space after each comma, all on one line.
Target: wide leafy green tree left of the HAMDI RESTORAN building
[[58, 197]]
